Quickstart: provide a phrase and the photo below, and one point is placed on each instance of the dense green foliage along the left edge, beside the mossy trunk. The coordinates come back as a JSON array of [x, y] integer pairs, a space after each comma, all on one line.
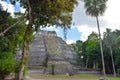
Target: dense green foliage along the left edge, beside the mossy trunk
[[8, 43]]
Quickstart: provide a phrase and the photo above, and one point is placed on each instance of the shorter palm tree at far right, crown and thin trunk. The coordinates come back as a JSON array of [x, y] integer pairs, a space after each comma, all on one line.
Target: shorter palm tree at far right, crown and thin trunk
[[109, 39]]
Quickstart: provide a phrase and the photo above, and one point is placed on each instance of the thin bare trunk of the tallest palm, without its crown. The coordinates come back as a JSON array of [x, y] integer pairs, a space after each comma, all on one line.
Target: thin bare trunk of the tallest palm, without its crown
[[101, 49]]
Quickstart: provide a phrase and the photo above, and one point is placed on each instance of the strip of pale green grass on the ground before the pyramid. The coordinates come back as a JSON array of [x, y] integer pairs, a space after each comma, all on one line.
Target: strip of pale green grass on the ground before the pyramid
[[75, 77]]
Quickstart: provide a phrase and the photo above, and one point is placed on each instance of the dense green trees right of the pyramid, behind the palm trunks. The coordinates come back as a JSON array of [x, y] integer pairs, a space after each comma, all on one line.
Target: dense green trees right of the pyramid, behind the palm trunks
[[90, 50]]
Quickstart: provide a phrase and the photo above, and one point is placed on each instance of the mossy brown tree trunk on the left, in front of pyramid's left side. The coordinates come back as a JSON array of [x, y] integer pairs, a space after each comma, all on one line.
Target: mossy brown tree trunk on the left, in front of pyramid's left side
[[26, 42]]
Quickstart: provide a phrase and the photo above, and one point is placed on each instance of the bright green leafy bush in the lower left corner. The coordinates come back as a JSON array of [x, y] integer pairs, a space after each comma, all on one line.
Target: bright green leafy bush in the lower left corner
[[7, 64]]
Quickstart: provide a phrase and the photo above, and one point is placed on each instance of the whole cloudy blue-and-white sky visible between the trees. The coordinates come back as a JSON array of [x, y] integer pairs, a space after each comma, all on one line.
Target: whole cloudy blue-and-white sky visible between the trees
[[83, 24]]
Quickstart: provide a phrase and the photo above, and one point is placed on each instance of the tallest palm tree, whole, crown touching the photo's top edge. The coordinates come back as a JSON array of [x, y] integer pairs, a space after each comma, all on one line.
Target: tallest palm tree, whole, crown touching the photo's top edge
[[96, 8]]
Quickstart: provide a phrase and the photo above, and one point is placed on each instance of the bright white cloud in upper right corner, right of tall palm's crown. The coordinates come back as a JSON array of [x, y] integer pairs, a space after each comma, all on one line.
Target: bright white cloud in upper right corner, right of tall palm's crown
[[112, 14]]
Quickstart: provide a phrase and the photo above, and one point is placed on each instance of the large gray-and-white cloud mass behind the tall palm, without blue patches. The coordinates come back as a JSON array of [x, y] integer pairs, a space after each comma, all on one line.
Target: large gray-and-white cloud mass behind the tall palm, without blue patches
[[86, 24]]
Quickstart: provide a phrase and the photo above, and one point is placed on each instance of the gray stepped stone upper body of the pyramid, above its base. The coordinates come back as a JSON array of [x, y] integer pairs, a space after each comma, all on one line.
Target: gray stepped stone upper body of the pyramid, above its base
[[46, 46]]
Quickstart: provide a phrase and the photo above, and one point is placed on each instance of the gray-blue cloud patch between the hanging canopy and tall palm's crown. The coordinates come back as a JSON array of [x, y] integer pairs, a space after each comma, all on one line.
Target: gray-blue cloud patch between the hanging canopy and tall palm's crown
[[80, 17]]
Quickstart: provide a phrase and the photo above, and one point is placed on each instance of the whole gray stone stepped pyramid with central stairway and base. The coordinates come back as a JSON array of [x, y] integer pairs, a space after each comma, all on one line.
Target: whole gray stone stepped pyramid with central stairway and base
[[49, 53]]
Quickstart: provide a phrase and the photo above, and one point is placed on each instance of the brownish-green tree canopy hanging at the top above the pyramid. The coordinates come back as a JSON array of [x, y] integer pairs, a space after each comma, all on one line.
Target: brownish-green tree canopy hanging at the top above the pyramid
[[49, 12]]
